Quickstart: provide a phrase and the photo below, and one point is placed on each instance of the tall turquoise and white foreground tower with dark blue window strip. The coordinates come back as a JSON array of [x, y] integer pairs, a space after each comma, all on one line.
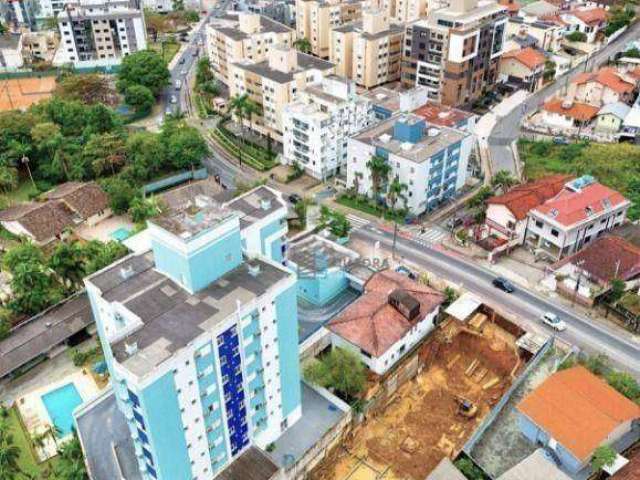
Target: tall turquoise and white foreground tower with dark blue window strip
[[198, 335]]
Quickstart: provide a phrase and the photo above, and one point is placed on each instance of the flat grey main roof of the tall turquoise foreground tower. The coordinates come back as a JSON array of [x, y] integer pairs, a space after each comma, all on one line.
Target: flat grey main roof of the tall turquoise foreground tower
[[171, 317]]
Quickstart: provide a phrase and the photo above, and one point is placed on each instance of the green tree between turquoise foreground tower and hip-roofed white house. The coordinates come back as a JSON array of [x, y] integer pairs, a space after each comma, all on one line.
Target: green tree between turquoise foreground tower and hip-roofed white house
[[339, 370]]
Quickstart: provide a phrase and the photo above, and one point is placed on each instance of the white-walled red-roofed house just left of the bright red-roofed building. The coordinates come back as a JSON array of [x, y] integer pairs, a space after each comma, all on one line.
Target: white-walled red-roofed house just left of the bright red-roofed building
[[506, 214]]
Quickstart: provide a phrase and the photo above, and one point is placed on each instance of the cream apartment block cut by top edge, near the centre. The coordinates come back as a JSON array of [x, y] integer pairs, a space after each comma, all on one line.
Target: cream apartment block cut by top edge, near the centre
[[316, 18]]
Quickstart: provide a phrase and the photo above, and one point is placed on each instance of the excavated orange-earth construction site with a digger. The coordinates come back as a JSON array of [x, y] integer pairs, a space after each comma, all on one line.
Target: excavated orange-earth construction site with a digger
[[462, 371]]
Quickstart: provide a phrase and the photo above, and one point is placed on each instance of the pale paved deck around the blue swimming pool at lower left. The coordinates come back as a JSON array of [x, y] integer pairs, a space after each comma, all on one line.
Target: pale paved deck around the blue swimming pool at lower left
[[35, 415]]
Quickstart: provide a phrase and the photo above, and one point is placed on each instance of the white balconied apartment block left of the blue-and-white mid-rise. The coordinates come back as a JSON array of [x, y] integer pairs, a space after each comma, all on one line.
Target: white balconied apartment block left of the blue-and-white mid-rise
[[318, 125]]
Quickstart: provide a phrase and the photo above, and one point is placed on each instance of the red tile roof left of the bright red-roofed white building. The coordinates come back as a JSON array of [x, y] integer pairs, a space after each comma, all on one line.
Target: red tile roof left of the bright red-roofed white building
[[521, 199]]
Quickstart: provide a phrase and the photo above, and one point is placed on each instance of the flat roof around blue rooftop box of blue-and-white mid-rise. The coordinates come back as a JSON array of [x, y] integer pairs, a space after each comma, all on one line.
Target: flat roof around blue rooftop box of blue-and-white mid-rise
[[434, 140]]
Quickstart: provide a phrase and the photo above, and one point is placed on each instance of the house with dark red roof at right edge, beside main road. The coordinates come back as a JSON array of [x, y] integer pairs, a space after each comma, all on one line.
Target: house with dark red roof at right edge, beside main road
[[587, 274]]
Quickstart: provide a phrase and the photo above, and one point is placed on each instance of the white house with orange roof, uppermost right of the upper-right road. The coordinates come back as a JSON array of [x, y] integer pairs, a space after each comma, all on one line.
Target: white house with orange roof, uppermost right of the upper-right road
[[602, 87]]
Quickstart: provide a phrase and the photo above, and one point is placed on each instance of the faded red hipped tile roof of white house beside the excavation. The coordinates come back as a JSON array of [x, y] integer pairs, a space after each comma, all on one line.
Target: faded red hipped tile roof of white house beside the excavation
[[371, 323]]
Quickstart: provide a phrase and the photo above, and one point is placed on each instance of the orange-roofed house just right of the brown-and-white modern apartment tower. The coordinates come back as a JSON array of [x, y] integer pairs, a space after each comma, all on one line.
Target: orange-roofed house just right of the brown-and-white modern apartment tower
[[522, 67]]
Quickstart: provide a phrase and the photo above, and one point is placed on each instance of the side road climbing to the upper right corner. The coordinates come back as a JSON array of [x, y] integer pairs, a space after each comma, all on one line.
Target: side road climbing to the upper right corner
[[507, 128]]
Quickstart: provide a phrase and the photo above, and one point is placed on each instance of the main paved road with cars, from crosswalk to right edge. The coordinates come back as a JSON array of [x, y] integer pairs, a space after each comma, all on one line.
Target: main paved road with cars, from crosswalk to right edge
[[525, 306]]
